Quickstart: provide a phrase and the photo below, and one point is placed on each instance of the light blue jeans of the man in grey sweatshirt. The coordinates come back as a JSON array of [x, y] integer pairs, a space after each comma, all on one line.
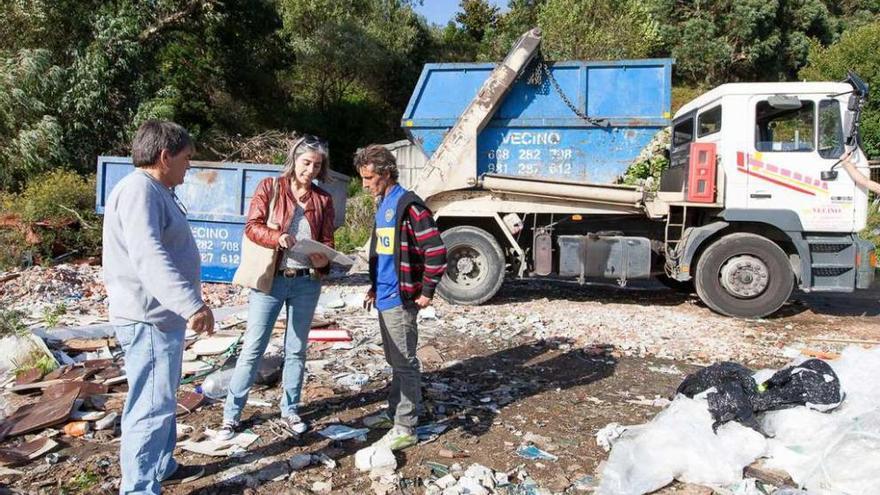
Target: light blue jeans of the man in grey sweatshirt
[[149, 428]]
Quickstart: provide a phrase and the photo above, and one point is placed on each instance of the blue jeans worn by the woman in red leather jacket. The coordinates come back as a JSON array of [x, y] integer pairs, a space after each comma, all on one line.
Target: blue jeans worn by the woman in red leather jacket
[[301, 296]]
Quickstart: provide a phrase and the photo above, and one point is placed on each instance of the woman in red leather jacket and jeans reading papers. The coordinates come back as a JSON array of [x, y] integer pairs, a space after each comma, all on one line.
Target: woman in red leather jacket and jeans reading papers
[[302, 211]]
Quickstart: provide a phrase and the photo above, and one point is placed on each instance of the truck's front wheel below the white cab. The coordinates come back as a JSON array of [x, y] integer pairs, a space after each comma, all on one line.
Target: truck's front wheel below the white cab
[[744, 275]]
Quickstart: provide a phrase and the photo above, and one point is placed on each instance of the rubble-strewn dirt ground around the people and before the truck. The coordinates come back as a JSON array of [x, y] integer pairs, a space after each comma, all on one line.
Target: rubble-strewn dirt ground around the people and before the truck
[[515, 390]]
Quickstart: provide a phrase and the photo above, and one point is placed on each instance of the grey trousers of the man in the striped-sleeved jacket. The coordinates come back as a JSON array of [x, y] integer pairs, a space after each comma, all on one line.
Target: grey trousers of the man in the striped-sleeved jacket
[[400, 339]]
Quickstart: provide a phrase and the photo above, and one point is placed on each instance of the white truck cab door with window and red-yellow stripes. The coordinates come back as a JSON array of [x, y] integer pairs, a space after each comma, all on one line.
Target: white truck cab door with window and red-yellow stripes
[[796, 138]]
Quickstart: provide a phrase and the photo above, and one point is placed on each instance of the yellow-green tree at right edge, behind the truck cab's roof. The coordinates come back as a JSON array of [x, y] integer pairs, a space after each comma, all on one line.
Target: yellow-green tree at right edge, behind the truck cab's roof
[[857, 50]]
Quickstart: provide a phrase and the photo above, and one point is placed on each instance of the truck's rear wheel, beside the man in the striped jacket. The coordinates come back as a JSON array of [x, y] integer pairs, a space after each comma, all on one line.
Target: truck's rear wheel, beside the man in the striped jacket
[[474, 266]]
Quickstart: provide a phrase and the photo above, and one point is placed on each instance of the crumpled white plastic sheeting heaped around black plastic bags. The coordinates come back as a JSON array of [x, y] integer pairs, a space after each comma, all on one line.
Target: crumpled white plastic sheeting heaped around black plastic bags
[[828, 453]]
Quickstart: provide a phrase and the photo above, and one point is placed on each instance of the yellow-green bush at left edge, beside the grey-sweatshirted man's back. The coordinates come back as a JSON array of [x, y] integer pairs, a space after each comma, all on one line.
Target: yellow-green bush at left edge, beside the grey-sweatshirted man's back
[[55, 215]]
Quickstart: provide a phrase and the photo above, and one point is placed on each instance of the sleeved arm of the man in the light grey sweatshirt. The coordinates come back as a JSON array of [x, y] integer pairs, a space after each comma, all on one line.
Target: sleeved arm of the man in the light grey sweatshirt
[[141, 216]]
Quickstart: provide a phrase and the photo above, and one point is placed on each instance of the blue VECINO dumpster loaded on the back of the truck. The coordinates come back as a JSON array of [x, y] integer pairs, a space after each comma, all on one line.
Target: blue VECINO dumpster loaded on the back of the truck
[[534, 133]]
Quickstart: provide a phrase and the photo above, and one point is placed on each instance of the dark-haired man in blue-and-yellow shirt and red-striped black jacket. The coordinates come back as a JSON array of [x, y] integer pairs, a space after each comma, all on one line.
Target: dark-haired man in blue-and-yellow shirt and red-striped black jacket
[[407, 261]]
